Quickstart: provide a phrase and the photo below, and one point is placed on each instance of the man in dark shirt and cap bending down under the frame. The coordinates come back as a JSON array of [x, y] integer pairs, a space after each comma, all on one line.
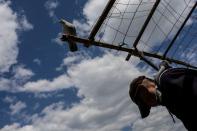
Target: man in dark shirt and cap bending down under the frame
[[174, 88]]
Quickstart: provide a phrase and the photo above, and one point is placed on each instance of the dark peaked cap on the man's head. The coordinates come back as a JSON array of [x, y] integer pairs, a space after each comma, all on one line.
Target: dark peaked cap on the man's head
[[133, 91]]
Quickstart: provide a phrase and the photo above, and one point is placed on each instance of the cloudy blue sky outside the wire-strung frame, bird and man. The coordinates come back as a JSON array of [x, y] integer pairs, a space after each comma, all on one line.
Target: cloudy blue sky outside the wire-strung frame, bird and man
[[44, 87]]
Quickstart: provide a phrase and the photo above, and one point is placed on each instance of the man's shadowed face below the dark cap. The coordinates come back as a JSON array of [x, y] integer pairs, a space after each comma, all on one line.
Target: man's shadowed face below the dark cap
[[147, 92]]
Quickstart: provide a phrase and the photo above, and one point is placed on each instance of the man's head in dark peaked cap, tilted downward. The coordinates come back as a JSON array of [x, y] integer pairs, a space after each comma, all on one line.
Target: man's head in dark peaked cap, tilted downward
[[143, 93]]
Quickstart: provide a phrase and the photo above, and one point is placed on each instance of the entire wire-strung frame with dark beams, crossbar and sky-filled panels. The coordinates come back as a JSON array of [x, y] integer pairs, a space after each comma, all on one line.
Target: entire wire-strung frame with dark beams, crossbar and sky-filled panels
[[146, 29]]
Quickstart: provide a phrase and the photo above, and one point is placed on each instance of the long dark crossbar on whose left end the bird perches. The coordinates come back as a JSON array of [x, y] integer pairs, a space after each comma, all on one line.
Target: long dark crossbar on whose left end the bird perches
[[129, 50]]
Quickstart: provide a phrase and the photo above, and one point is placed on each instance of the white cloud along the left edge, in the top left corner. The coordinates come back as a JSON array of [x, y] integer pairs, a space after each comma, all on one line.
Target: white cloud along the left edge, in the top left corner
[[10, 24]]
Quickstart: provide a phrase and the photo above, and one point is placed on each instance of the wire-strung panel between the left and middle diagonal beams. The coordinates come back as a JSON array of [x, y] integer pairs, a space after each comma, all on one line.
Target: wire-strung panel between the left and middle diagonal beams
[[124, 22]]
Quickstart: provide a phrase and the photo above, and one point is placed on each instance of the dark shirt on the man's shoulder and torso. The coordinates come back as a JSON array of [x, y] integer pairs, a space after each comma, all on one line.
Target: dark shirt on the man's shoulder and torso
[[179, 94]]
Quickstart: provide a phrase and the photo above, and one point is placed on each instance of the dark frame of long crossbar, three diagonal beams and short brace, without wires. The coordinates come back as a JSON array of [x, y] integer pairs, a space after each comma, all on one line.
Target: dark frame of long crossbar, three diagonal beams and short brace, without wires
[[135, 52]]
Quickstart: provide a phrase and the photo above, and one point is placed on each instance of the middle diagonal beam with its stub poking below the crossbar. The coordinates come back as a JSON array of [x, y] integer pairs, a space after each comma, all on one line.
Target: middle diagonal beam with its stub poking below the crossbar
[[144, 26]]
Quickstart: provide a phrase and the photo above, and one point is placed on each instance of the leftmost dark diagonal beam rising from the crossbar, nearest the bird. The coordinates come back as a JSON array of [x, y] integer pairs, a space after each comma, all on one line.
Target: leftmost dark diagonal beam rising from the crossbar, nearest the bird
[[101, 19]]
